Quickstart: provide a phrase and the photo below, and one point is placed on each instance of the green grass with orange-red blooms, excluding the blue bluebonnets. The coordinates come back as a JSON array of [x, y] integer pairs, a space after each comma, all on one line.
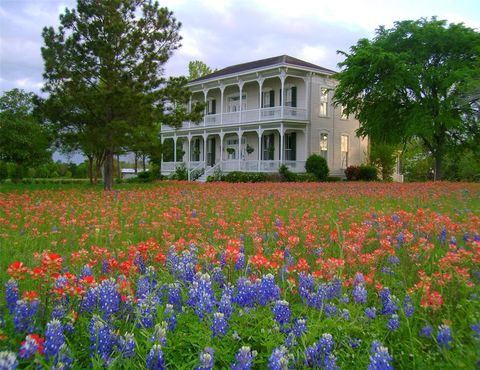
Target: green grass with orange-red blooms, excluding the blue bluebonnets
[[339, 229]]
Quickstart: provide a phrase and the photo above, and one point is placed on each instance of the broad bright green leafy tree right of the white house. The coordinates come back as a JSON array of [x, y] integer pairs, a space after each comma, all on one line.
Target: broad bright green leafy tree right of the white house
[[409, 82]]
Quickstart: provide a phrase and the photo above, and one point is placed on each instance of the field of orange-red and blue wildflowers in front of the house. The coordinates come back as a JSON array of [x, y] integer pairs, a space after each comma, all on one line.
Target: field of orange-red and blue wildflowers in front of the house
[[262, 276]]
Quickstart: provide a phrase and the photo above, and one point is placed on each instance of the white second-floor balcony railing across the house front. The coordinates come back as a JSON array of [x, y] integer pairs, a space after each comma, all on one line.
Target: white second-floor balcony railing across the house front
[[246, 116]]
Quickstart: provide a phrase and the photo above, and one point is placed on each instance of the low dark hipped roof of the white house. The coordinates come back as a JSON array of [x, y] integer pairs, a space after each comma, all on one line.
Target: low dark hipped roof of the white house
[[262, 63]]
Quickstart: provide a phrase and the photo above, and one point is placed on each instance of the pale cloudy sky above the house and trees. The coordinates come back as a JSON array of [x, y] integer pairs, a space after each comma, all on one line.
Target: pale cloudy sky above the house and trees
[[226, 32]]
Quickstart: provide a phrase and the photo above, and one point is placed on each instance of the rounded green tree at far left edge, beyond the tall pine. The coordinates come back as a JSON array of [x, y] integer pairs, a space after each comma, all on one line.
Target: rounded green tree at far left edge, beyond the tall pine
[[24, 139]]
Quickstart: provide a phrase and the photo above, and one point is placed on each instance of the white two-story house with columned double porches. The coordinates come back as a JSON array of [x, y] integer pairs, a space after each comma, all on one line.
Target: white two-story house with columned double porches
[[262, 114]]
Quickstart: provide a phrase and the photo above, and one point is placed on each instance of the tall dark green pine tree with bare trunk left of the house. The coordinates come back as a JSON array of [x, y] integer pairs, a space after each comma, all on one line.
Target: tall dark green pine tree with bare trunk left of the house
[[104, 65]]
